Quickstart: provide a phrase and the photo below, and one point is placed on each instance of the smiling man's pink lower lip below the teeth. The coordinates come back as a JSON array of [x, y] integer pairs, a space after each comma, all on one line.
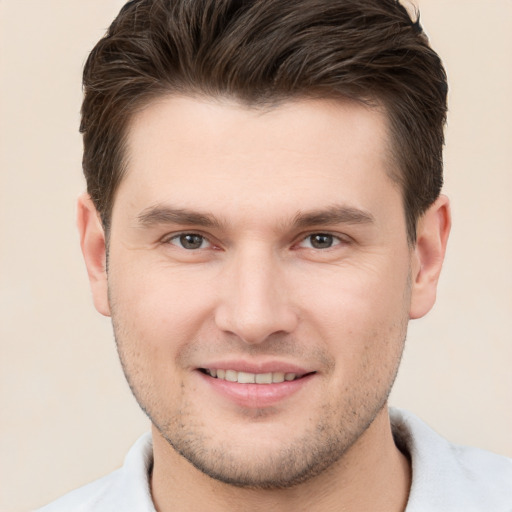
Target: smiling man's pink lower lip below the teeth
[[256, 396]]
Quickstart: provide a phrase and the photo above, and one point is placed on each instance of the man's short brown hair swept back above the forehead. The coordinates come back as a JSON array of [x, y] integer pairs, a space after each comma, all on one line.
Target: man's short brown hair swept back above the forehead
[[261, 52]]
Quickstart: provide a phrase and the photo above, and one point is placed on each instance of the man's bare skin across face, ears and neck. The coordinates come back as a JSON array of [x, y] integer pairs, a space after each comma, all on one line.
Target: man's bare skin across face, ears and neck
[[256, 188]]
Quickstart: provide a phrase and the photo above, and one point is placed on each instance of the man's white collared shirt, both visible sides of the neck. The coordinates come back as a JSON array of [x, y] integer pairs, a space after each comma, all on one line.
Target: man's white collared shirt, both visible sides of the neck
[[445, 477]]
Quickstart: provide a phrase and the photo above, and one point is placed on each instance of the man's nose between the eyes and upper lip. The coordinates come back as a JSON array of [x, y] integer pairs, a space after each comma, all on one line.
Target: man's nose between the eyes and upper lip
[[255, 301]]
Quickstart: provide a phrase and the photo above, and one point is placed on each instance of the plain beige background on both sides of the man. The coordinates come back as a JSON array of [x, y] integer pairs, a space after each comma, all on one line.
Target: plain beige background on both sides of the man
[[66, 415]]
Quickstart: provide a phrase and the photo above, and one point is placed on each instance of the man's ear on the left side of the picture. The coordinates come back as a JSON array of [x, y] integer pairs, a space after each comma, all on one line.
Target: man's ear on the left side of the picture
[[93, 244]]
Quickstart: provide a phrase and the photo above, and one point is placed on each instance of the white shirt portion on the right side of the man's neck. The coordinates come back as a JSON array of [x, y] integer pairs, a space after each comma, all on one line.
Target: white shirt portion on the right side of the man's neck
[[450, 477]]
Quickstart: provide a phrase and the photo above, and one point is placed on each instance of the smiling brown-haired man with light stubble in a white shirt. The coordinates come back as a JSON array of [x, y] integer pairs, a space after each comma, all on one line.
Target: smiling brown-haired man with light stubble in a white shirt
[[263, 218]]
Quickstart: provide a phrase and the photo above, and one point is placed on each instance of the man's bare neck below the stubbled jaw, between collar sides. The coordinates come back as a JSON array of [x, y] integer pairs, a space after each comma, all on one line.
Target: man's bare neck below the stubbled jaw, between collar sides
[[372, 475]]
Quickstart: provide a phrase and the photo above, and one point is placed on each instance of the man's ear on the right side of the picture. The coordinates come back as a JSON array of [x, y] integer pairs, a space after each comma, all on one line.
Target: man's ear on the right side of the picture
[[431, 239]]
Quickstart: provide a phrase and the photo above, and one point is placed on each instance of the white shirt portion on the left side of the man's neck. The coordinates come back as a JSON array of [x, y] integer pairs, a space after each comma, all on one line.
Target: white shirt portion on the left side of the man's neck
[[125, 489]]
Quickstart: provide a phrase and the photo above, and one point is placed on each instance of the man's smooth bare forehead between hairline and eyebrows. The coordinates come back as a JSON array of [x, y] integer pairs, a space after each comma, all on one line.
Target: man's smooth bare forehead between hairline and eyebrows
[[225, 156]]
